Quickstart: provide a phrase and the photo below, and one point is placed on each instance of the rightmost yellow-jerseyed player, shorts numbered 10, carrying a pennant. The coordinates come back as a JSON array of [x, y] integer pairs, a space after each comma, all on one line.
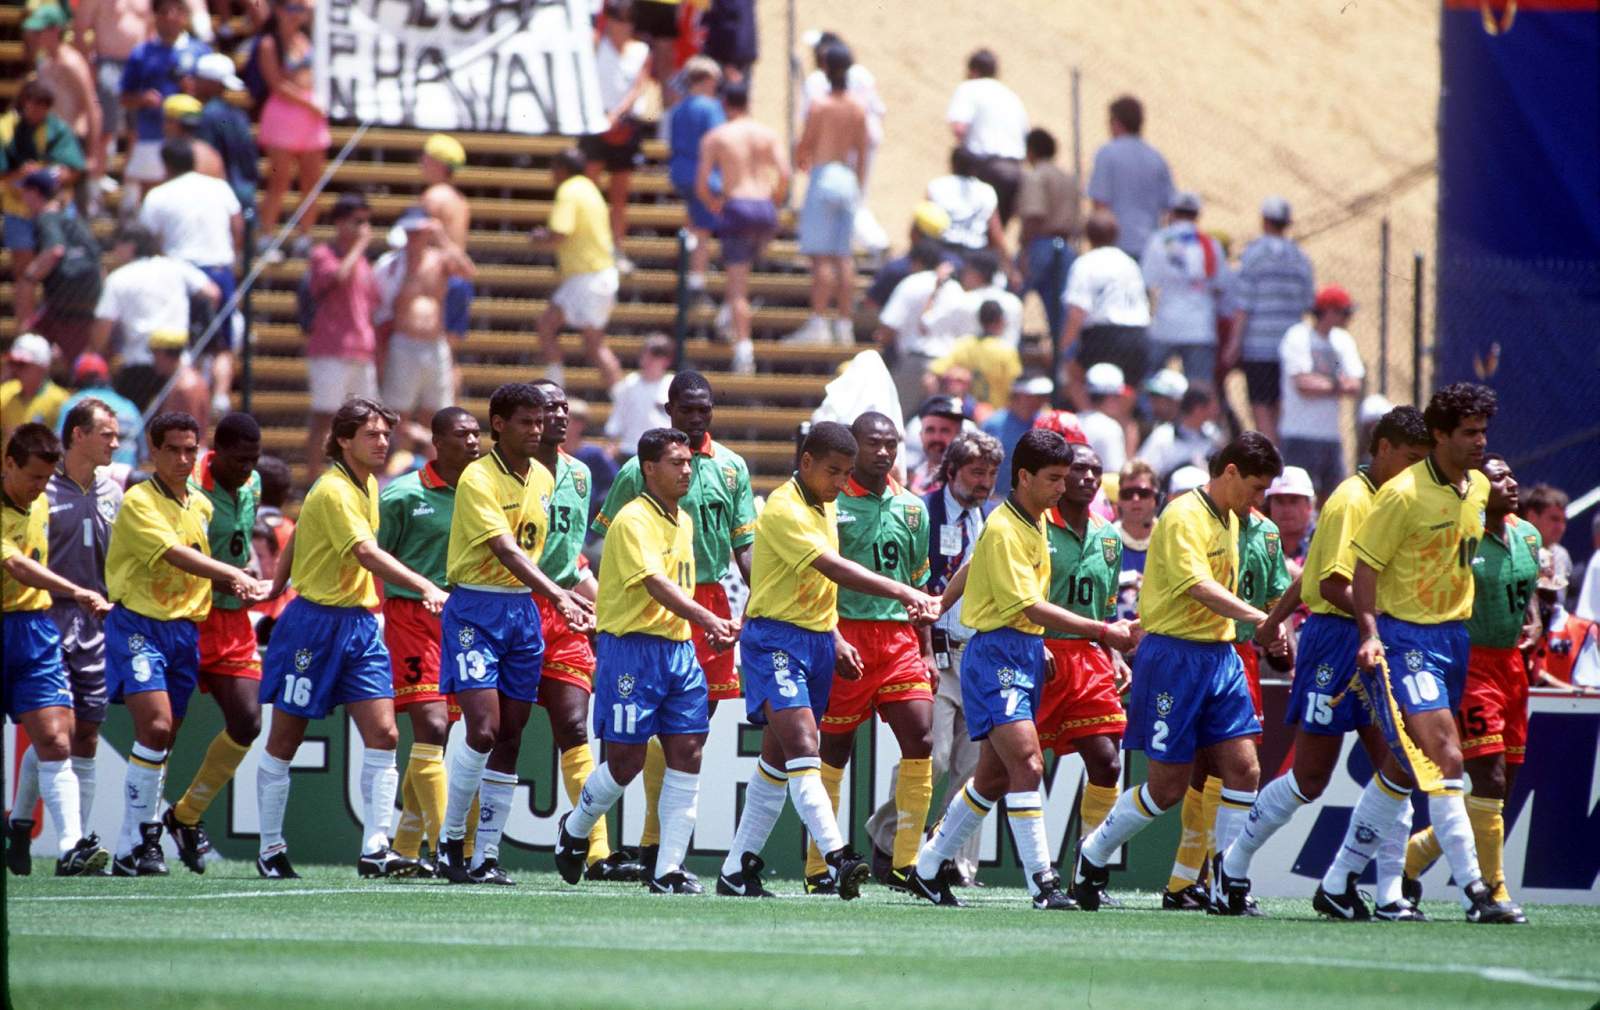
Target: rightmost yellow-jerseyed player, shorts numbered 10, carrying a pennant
[[1414, 593]]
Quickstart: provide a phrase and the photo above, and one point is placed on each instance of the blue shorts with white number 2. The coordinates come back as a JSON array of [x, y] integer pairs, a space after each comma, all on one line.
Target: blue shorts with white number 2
[[1186, 695]]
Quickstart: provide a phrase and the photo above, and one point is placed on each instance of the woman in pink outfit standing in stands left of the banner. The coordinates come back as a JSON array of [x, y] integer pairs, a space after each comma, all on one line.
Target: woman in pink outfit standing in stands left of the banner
[[294, 127]]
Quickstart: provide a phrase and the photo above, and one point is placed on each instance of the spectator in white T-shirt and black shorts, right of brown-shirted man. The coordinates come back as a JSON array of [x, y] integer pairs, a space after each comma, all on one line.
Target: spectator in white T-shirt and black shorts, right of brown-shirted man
[[1108, 308]]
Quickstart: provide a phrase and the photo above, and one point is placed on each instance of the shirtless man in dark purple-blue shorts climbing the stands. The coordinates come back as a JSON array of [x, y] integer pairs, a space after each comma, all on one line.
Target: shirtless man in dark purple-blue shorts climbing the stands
[[754, 177]]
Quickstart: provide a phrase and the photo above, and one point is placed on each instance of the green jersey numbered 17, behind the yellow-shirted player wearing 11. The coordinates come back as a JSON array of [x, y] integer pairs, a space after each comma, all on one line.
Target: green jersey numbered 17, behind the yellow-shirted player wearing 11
[[719, 502]]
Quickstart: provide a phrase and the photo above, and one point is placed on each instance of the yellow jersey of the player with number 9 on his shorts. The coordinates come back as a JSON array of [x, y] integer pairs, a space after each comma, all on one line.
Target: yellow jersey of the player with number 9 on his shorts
[[151, 523]]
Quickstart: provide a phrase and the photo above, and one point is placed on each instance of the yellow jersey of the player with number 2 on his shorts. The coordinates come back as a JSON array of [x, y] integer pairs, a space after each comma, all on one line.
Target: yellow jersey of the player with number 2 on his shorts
[[1193, 542]]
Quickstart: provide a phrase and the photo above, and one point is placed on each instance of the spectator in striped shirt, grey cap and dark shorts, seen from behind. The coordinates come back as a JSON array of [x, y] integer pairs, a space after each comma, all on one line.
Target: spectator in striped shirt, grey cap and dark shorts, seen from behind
[[1274, 289]]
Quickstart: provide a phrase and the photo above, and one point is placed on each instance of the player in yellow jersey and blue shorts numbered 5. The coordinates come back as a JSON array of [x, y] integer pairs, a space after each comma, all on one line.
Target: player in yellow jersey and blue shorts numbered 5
[[790, 649]]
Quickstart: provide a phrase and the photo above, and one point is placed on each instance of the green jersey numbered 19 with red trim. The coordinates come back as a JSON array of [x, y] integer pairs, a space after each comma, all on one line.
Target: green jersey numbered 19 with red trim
[[886, 534]]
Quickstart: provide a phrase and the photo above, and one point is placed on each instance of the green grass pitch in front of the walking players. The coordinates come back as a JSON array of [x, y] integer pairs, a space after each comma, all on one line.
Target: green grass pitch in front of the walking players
[[332, 940]]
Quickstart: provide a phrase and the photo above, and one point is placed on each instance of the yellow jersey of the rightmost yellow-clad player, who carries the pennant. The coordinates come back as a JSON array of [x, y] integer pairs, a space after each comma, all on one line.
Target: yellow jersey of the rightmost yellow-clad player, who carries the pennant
[[1422, 537]]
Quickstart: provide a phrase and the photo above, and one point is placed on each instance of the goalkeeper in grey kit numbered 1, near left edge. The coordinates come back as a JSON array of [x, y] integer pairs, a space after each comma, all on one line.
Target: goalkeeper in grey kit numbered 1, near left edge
[[86, 503]]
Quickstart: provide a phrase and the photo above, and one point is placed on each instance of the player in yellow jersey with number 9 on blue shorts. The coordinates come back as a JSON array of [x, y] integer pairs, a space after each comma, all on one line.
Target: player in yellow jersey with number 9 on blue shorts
[[161, 574]]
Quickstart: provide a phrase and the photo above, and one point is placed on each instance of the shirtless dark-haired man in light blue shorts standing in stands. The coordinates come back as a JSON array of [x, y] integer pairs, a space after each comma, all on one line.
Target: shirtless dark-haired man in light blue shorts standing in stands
[[834, 146]]
